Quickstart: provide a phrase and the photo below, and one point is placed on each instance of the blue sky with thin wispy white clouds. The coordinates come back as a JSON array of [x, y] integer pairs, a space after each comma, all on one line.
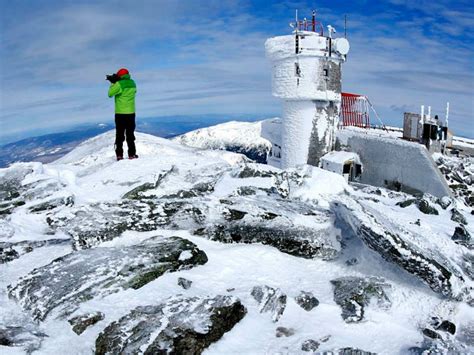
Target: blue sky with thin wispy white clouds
[[207, 57]]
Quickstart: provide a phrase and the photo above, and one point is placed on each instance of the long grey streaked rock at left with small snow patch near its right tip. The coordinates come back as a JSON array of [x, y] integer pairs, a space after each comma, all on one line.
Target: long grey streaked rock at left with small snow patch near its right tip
[[80, 276]]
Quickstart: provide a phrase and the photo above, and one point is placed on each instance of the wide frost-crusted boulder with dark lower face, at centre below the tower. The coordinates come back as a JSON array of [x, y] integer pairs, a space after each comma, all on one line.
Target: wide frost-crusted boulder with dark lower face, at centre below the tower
[[293, 227]]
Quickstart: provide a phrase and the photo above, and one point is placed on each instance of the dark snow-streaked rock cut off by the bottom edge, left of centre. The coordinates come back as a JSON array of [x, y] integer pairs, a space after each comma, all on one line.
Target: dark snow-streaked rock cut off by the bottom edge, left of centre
[[177, 326]]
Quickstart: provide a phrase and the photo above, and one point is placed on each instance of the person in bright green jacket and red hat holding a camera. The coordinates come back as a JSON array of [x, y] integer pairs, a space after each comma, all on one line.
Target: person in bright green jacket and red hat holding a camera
[[124, 91]]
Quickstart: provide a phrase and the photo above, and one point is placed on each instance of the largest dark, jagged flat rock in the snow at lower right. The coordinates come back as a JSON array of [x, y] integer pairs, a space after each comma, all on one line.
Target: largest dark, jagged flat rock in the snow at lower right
[[353, 294]]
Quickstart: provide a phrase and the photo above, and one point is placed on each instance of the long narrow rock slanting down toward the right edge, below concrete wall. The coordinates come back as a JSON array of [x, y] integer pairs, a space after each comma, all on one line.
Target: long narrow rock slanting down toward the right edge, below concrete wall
[[394, 244]]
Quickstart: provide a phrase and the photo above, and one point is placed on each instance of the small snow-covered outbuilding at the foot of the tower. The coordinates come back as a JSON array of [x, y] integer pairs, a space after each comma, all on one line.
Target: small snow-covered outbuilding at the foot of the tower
[[347, 164]]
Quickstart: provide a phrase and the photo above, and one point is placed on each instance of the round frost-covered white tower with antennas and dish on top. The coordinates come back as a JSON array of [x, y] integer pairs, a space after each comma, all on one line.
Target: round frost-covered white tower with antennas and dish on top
[[306, 75]]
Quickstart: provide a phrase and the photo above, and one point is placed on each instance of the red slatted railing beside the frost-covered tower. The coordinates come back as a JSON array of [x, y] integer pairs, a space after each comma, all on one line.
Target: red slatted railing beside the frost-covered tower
[[355, 110]]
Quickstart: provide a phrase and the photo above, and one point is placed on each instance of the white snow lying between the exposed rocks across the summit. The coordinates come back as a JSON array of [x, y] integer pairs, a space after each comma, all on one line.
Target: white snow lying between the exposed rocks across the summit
[[91, 174]]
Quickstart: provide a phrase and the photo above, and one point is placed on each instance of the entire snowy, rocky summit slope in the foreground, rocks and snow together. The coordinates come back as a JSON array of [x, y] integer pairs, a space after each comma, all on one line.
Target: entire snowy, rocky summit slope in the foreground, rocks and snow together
[[141, 222]]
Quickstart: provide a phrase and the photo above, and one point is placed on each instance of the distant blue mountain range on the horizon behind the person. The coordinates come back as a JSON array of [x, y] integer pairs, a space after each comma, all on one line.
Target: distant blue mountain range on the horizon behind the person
[[47, 148]]
